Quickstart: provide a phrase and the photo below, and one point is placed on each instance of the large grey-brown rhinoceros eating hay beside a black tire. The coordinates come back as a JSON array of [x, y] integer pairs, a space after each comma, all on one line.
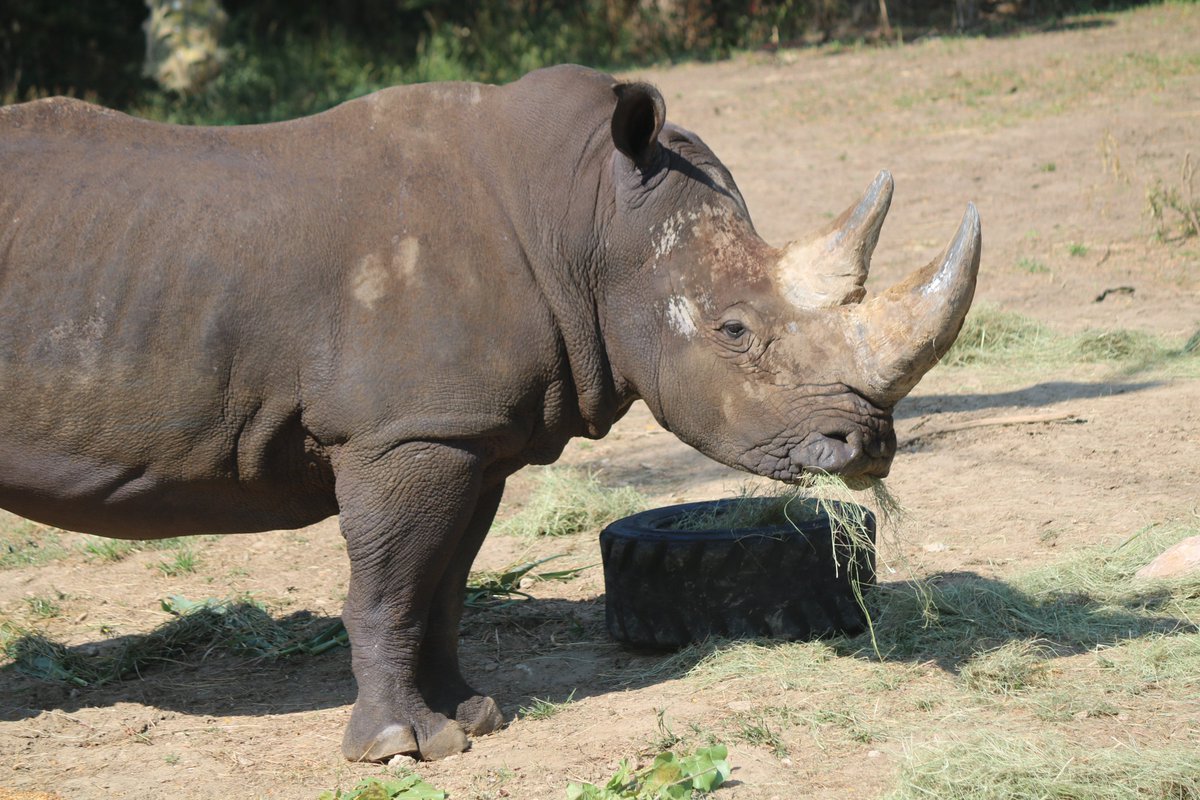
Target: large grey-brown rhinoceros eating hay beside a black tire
[[386, 310]]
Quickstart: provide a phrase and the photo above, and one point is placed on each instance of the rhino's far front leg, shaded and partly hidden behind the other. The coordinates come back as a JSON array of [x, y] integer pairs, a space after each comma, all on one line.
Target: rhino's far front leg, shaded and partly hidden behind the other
[[440, 677]]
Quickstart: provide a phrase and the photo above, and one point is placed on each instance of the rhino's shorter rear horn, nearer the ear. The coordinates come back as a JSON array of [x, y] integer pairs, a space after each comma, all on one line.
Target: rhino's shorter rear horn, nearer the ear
[[830, 268]]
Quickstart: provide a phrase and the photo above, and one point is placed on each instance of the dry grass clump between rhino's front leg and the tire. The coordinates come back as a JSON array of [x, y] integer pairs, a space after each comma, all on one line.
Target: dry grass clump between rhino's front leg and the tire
[[567, 502]]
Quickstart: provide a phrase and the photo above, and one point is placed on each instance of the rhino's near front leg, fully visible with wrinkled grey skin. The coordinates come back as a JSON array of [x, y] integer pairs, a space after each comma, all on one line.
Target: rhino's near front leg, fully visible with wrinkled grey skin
[[404, 515]]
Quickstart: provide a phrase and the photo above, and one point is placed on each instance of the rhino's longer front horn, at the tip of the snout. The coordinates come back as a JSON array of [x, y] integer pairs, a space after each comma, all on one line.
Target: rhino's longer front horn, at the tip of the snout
[[902, 334]]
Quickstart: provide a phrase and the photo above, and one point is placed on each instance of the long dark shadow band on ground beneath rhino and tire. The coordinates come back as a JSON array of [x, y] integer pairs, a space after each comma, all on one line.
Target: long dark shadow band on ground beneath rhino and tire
[[556, 649]]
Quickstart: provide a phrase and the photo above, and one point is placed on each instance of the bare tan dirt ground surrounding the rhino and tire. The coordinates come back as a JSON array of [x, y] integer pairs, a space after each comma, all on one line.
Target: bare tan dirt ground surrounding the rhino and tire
[[1055, 135]]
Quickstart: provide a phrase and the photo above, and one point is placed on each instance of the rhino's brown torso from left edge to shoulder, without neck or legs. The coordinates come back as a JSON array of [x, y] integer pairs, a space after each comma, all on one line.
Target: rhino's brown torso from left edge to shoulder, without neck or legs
[[190, 318]]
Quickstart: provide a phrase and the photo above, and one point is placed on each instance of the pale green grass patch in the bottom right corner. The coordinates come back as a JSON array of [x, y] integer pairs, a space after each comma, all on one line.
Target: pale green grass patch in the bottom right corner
[[1018, 767]]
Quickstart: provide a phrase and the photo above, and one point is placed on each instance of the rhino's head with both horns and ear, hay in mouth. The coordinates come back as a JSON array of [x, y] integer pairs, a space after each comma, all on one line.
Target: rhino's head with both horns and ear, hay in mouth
[[770, 360]]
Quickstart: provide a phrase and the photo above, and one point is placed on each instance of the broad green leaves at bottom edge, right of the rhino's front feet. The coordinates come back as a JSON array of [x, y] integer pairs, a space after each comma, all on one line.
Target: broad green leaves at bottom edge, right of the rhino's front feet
[[669, 778]]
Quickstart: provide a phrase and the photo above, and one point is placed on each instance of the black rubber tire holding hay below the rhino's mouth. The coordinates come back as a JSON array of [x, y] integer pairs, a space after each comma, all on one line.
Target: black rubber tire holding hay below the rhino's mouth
[[667, 588]]
